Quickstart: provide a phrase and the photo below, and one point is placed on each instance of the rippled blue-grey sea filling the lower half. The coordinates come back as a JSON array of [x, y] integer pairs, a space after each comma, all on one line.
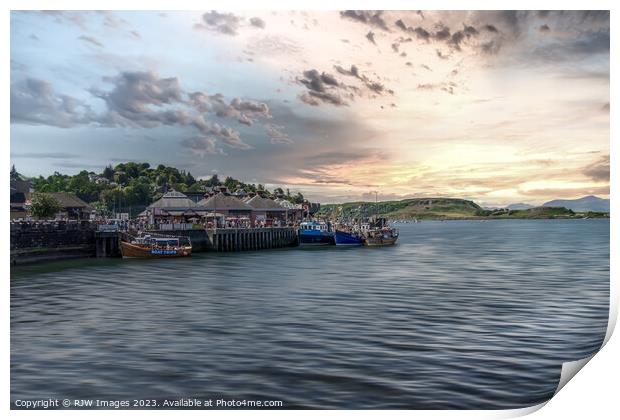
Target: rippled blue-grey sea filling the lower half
[[460, 314]]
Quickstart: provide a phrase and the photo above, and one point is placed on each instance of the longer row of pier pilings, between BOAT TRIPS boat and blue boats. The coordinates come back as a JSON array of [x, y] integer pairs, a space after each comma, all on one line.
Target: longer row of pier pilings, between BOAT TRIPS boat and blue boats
[[230, 240]]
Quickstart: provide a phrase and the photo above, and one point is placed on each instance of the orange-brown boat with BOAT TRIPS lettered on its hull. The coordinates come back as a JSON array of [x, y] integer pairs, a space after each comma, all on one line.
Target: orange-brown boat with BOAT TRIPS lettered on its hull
[[148, 246]]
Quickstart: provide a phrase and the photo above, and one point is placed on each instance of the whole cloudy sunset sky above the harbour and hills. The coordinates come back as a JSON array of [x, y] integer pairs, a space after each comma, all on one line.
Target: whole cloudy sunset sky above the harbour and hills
[[495, 106]]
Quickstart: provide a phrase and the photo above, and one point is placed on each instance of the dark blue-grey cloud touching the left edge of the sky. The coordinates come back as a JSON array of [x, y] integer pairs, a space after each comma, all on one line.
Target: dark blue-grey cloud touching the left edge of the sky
[[34, 101]]
